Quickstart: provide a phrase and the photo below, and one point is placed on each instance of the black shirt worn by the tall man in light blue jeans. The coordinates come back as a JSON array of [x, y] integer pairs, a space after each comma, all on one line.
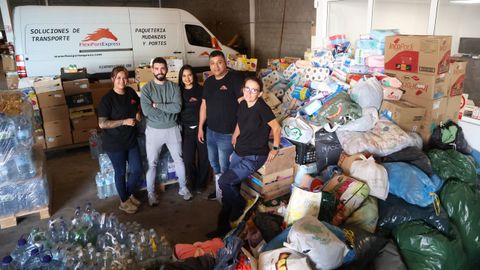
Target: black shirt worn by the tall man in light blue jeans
[[221, 97]]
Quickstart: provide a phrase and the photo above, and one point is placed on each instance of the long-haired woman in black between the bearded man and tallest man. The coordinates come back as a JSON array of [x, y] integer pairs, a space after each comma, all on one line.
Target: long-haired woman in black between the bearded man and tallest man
[[192, 99]]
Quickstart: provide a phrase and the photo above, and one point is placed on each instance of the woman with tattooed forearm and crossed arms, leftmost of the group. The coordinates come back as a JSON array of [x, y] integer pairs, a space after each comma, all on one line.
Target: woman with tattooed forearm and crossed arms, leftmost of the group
[[118, 113]]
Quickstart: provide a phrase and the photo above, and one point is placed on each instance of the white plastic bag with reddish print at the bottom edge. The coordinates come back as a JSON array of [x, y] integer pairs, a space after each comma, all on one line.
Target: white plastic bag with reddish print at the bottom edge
[[283, 258]]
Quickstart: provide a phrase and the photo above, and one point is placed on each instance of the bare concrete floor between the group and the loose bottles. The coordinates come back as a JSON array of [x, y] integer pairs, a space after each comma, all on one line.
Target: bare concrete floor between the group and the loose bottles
[[71, 174]]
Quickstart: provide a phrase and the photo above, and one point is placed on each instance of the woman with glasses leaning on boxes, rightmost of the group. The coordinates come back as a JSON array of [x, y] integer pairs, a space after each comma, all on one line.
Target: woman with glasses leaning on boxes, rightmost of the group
[[250, 139]]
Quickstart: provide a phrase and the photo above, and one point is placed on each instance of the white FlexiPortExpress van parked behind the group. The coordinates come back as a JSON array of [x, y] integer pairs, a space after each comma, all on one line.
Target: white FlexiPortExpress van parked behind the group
[[99, 38]]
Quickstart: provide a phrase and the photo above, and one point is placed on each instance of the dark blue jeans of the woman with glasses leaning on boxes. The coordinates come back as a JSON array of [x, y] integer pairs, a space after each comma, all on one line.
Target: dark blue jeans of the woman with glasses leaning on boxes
[[233, 203]]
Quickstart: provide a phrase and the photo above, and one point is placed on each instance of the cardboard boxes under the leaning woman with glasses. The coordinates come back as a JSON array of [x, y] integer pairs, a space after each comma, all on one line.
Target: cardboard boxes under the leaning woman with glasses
[[274, 178]]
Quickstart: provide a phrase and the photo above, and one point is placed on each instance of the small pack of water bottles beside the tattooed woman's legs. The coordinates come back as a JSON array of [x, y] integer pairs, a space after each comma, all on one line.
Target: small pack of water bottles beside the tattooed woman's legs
[[105, 178]]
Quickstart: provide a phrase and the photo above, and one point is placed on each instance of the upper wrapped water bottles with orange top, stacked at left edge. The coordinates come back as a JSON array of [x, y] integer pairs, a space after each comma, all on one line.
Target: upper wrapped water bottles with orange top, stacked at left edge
[[16, 137]]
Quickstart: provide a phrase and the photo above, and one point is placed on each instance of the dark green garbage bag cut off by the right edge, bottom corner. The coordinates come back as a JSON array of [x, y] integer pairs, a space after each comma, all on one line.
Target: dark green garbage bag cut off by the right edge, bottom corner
[[462, 203]]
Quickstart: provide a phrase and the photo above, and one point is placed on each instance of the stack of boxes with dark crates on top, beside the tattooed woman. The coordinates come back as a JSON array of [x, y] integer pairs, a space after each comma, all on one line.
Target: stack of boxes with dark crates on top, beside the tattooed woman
[[81, 110]]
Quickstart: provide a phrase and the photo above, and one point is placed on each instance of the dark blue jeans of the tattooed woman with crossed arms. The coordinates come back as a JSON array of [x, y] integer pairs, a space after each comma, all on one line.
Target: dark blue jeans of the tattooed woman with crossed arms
[[119, 161]]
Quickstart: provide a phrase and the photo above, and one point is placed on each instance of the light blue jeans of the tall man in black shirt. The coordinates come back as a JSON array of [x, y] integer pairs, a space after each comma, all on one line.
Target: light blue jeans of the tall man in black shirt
[[219, 150]]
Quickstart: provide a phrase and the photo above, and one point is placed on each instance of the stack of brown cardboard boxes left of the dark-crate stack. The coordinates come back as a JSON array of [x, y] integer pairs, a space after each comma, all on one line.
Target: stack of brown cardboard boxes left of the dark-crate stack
[[56, 122]]
